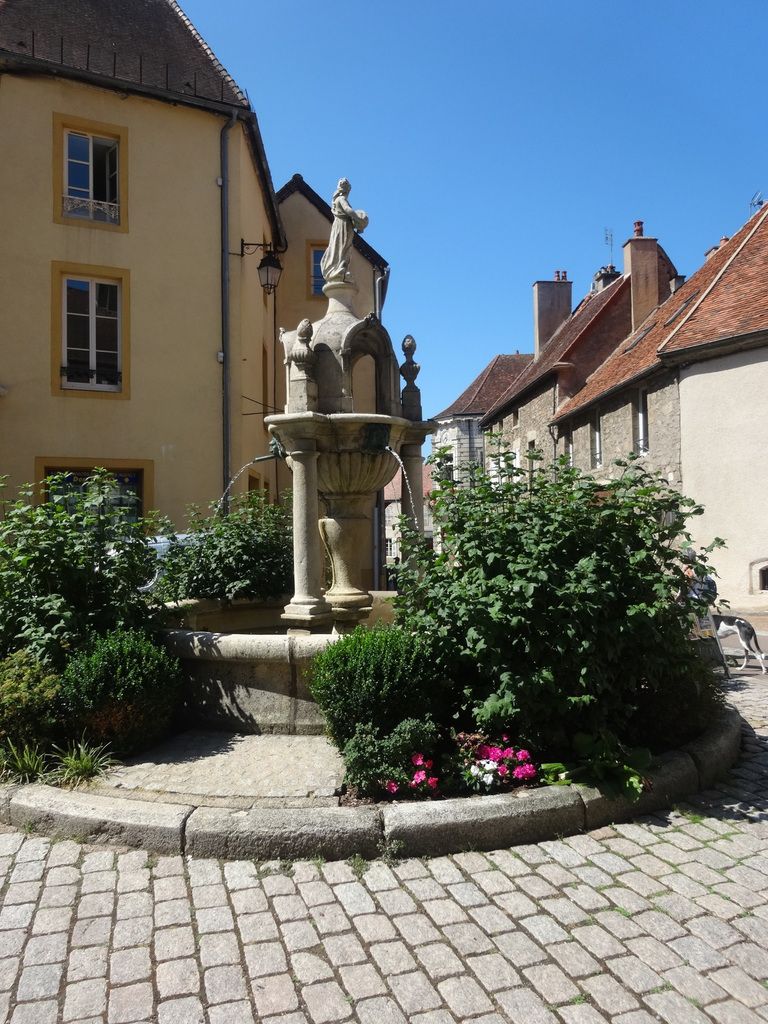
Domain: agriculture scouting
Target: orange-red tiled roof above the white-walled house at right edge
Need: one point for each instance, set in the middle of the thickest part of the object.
(728, 296)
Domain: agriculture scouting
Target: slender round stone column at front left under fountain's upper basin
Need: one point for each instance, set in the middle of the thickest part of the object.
(308, 607)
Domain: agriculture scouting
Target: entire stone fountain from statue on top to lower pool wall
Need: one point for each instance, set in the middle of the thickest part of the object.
(340, 457)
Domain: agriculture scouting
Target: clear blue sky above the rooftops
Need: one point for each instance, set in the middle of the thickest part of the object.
(492, 143)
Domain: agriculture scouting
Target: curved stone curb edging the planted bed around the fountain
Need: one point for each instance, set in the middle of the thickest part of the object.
(407, 830)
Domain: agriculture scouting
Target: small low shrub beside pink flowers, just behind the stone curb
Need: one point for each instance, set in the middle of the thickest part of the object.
(373, 757)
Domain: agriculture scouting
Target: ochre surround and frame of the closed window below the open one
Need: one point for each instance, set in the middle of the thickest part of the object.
(61, 273)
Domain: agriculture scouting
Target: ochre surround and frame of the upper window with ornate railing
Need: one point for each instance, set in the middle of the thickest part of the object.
(63, 125)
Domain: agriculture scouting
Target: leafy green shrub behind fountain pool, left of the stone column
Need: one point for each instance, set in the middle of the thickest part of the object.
(246, 553)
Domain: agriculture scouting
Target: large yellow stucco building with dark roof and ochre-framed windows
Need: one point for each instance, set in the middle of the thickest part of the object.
(134, 334)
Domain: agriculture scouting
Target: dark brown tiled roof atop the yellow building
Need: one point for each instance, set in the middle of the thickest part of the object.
(150, 44)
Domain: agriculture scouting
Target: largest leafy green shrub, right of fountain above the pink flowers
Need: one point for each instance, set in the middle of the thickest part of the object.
(561, 603)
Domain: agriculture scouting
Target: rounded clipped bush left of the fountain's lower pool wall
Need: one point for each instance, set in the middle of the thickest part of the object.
(123, 691)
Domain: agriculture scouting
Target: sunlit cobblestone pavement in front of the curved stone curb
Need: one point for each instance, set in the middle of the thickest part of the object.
(662, 920)
